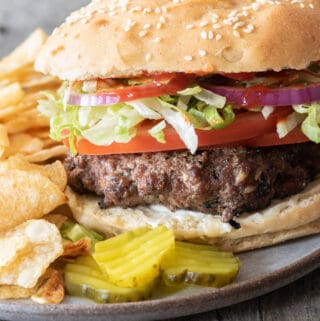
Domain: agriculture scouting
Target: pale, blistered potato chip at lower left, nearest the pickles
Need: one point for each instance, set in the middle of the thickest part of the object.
(42, 244)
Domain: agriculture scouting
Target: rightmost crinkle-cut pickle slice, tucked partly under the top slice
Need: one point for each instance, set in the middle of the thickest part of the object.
(199, 264)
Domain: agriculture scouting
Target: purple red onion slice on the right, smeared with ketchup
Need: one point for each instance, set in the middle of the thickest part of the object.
(263, 96)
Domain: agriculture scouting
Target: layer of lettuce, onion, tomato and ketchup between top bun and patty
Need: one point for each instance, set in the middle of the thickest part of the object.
(109, 112)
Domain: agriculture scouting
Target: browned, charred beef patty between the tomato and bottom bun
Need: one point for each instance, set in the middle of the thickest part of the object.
(223, 181)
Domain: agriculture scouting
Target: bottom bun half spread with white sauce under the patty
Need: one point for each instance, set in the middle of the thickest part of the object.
(285, 219)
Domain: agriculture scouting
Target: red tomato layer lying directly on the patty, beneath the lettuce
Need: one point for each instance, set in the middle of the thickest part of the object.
(247, 125)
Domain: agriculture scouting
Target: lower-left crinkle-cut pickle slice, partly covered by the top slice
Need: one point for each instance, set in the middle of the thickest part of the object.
(83, 278)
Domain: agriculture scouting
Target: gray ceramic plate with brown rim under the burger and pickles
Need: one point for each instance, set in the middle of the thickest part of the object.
(262, 271)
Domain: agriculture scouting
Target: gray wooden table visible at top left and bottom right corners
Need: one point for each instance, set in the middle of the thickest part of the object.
(296, 302)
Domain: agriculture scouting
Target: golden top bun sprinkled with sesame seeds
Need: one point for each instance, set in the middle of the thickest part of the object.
(120, 39)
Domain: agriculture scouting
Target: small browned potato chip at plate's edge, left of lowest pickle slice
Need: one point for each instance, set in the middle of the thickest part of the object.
(51, 288)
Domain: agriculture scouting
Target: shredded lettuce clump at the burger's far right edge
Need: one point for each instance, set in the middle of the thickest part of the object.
(311, 124)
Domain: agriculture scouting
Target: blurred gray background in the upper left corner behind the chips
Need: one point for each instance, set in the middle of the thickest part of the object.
(18, 18)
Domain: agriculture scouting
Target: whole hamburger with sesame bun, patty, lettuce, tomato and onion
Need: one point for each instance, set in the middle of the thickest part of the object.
(199, 115)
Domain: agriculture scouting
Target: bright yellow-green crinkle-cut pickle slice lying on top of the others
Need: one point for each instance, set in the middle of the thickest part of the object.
(133, 259)
